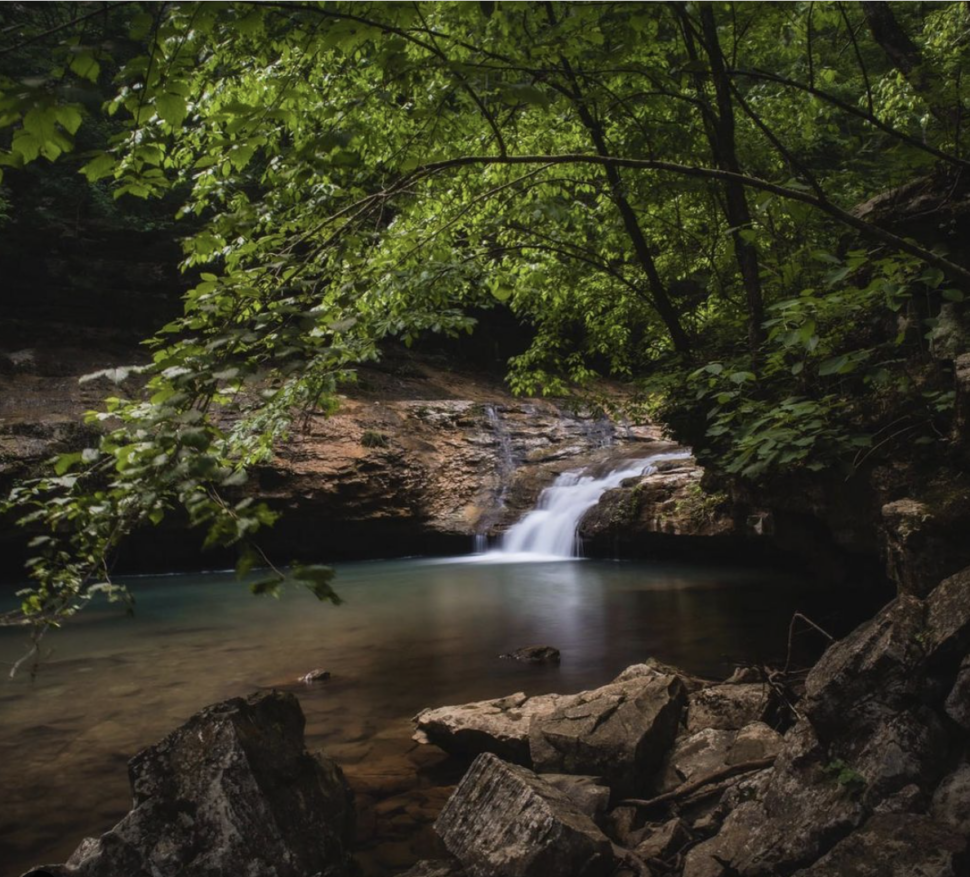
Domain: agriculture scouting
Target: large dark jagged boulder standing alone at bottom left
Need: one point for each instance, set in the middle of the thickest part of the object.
(232, 791)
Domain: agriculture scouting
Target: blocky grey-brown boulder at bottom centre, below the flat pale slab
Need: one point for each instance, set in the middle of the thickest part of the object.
(505, 821)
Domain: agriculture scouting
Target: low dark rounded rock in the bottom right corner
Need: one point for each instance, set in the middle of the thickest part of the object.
(895, 845)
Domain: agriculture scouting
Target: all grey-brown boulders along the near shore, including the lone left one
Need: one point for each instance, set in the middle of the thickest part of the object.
(857, 767)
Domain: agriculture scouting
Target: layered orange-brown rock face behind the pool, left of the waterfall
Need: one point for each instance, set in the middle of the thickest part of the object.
(417, 459)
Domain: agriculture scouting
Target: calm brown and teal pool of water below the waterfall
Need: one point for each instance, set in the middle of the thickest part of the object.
(413, 633)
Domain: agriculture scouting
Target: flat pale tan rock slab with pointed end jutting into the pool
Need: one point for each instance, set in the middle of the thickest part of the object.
(500, 726)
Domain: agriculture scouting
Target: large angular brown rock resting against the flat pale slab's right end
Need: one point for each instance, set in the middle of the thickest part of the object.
(620, 732)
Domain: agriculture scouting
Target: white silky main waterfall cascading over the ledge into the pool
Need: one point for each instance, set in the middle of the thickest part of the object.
(550, 529)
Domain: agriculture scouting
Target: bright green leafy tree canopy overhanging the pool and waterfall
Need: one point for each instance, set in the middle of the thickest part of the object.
(657, 189)
